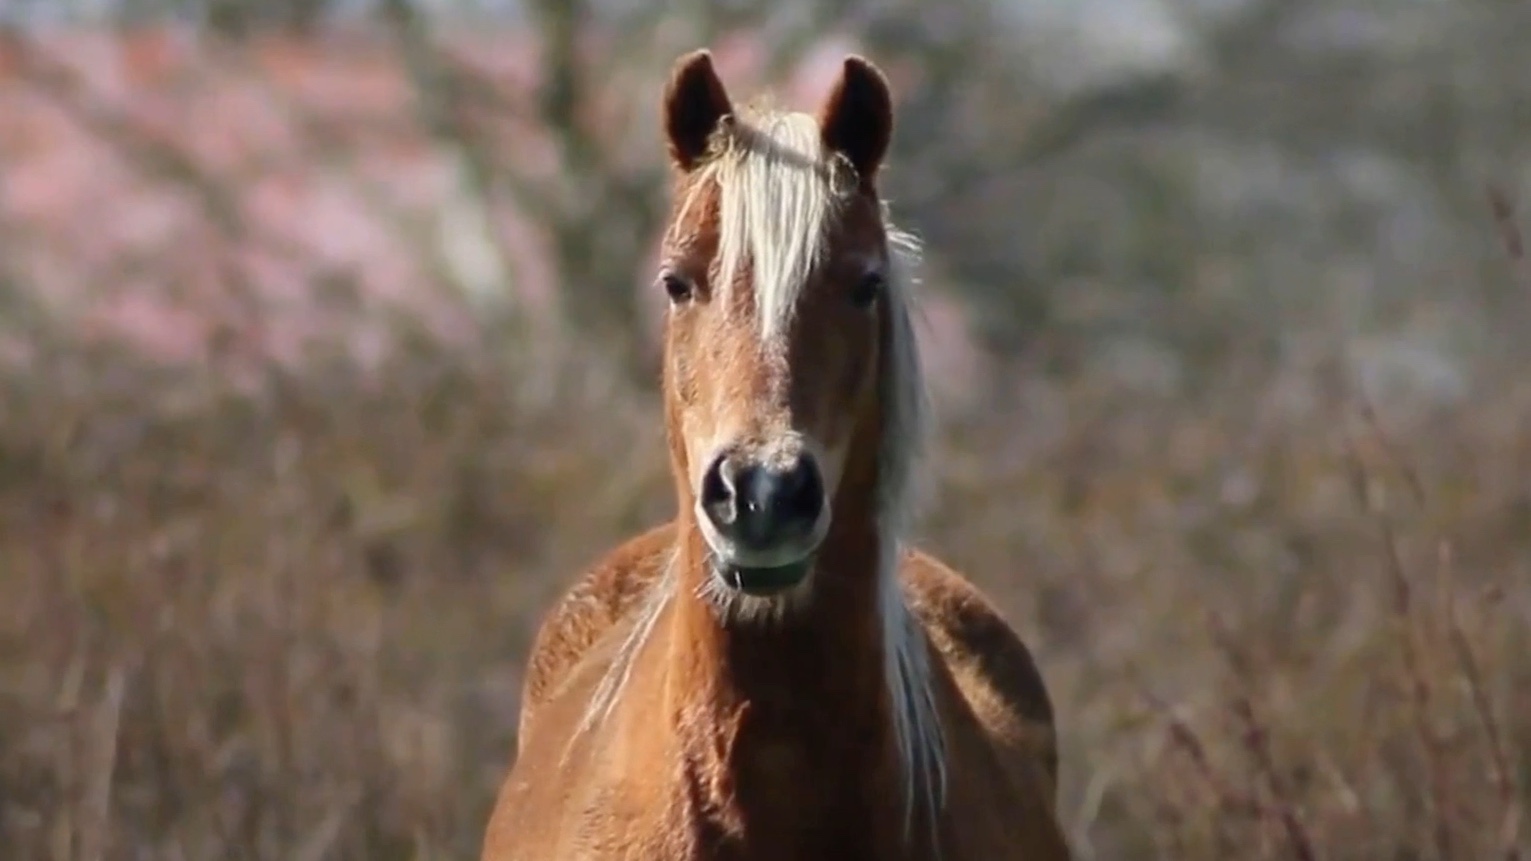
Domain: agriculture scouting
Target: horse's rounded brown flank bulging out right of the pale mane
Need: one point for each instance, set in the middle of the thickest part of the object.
(988, 661)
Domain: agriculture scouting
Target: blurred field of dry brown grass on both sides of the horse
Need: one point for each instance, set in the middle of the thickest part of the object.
(292, 627)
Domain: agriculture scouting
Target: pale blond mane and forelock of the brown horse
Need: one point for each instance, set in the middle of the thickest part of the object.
(780, 192)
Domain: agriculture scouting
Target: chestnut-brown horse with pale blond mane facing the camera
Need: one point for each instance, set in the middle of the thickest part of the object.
(771, 676)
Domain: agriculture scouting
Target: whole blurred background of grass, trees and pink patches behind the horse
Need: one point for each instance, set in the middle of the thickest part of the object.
(328, 358)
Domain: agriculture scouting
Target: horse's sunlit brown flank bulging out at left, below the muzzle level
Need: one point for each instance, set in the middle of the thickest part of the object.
(578, 621)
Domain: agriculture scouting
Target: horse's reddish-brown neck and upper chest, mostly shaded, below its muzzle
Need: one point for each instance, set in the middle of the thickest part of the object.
(792, 709)
